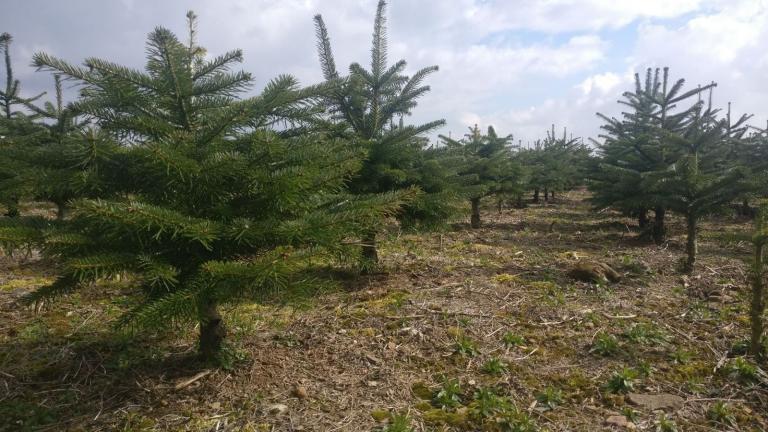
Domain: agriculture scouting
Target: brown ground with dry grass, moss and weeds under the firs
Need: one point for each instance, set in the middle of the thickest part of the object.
(461, 330)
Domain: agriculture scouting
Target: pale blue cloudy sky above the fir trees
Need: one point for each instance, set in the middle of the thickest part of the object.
(519, 65)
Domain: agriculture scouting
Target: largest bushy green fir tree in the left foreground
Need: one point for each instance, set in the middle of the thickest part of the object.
(210, 206)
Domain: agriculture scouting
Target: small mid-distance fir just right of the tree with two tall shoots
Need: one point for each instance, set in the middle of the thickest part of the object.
(487, 164)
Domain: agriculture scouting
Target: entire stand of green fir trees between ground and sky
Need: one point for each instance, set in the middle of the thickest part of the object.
(174, 178)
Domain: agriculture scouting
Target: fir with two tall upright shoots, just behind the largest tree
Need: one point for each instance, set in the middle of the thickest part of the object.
(369, 106)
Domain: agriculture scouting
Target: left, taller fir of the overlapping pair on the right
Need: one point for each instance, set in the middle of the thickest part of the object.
(635, 145)
